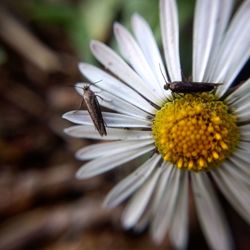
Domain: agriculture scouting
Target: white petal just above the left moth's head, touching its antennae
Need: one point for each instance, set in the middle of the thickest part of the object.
(114, 86)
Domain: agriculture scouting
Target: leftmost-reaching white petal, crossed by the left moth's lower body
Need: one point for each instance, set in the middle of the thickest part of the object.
(112, 120)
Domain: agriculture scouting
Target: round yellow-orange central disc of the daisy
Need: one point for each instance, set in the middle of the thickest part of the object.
(195, 132)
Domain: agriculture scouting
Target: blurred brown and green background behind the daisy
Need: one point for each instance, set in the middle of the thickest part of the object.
(42, 205)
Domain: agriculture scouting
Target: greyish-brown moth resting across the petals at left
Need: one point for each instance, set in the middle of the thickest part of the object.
(94, 109)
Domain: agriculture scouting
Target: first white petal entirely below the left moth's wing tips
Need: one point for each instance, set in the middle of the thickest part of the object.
(109, 148)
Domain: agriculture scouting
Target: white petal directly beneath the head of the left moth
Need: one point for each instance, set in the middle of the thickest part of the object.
(115, 103)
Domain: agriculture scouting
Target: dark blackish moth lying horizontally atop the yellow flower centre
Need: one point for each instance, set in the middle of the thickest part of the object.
(190, 87)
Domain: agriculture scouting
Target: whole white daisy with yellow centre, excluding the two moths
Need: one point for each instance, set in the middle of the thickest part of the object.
(189, 141)
